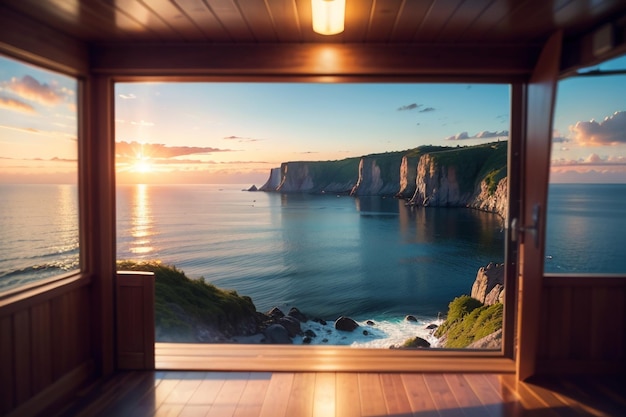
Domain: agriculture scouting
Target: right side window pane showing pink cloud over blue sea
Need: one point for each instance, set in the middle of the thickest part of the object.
(587, 194)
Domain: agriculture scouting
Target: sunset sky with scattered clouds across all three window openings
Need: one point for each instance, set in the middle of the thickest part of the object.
(237, 132)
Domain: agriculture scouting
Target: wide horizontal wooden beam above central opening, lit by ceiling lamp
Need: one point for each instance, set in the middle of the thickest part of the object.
(326, 62)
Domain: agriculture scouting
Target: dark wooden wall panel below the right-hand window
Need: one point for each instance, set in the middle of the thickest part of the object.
(584, 325)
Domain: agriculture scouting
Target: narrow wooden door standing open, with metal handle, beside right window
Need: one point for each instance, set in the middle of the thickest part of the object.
(536, 157)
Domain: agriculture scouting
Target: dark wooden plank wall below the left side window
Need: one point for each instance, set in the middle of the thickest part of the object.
(45, 347)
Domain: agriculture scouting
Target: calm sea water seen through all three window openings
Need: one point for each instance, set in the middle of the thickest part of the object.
(368, 258)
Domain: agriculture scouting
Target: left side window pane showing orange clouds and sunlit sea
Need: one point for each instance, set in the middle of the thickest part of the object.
(38, 174)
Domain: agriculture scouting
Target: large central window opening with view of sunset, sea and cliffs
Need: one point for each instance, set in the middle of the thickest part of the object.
(378, 202)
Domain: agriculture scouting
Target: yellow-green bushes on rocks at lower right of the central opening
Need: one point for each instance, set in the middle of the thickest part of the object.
(468, 321)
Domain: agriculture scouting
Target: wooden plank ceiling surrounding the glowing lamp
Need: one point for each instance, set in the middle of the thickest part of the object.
(289, 21)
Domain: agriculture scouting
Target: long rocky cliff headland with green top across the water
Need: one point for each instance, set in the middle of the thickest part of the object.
(436, 176)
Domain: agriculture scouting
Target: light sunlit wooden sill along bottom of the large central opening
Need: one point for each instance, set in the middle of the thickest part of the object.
(229, 357)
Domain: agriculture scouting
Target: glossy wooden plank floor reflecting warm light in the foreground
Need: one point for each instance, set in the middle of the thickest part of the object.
(328, 394)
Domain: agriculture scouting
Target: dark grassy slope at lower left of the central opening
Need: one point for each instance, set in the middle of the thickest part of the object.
(182, 304)
